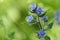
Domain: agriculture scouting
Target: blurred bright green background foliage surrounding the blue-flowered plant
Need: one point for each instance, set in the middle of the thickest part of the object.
(12, 19)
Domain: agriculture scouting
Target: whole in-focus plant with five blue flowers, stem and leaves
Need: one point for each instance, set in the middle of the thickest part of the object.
(40, 15)
